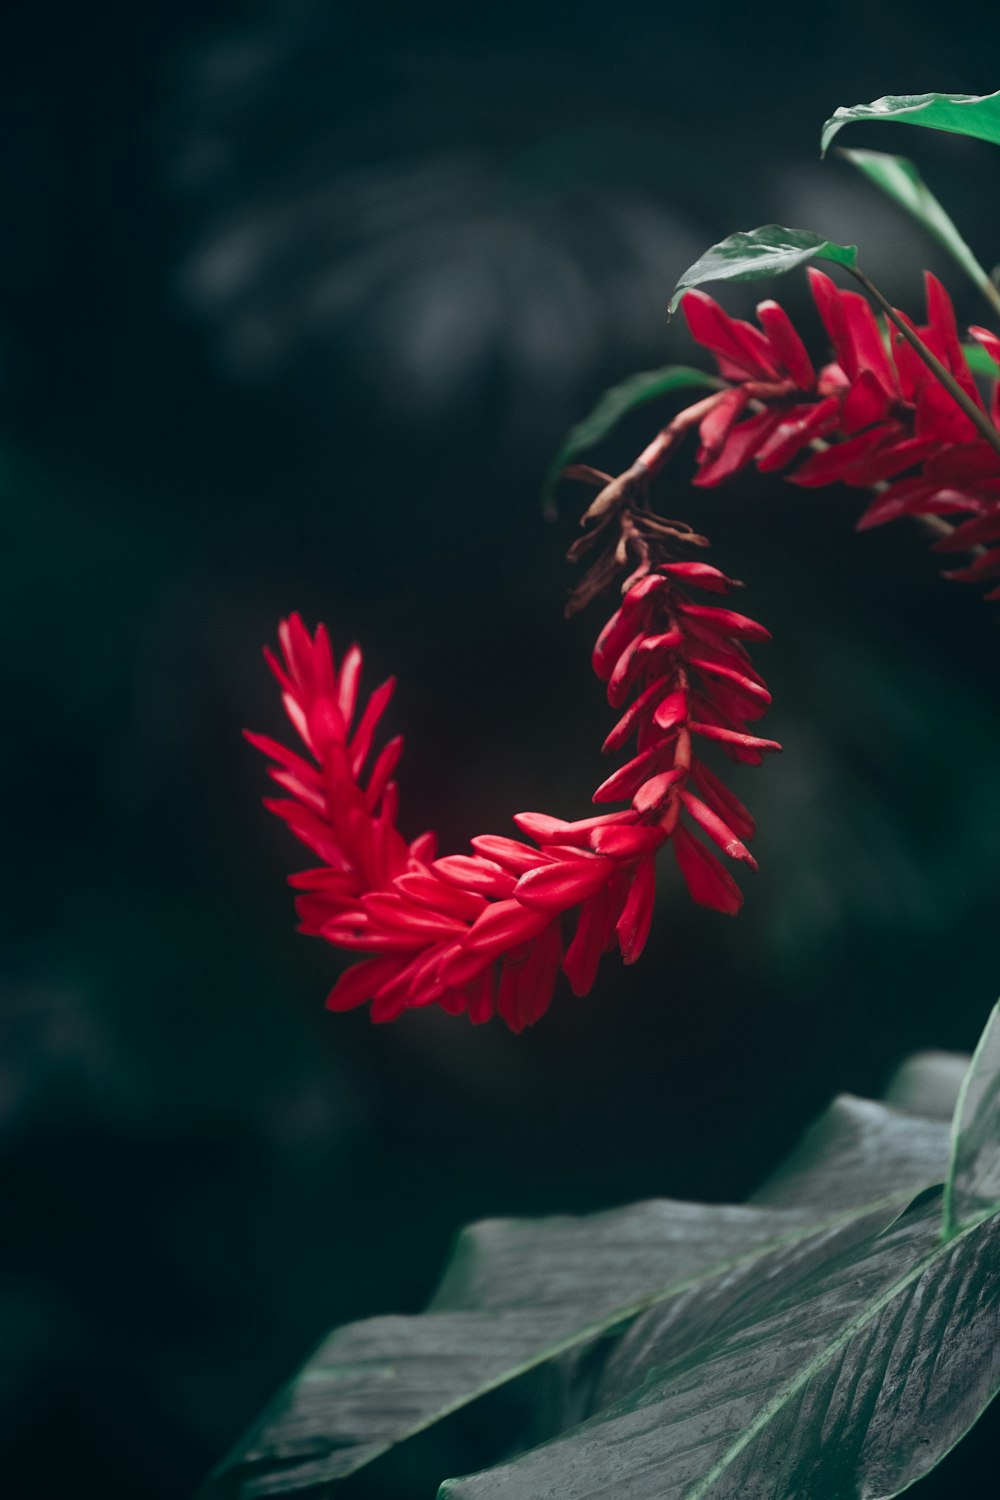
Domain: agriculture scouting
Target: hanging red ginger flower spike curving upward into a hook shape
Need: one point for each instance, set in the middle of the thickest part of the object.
(485, 934)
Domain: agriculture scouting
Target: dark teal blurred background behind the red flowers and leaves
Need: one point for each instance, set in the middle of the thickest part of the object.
(298, 304)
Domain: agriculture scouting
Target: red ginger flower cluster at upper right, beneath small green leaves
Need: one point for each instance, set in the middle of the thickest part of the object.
(875, 418)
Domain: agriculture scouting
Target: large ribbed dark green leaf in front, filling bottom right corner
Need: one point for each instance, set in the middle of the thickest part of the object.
(848, 1364)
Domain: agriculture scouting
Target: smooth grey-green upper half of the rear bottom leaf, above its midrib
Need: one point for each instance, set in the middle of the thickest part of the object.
(518, 1294)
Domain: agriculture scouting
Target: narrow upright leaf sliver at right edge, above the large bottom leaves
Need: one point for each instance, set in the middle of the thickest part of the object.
(972, 1187)
